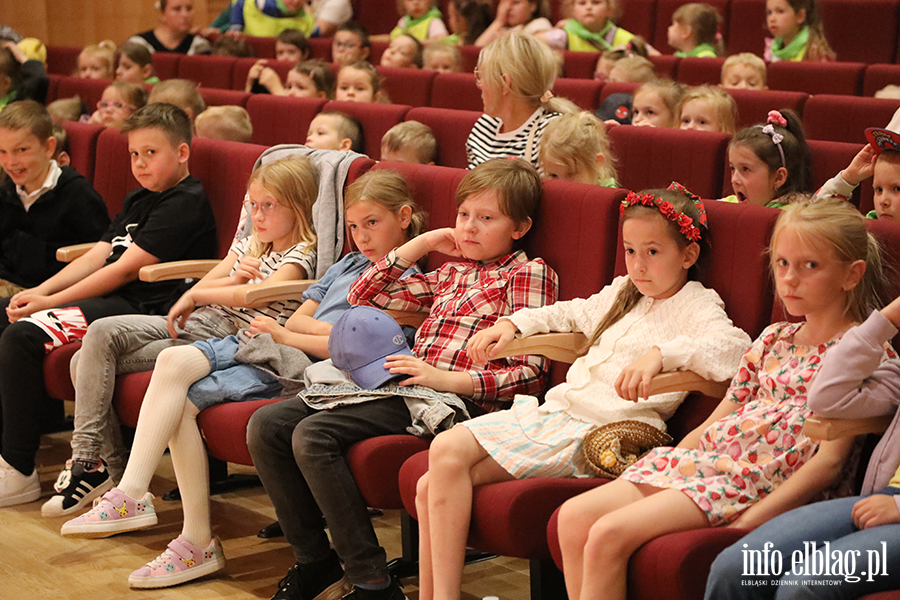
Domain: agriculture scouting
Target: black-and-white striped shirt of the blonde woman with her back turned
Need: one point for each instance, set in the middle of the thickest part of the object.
(486, 142)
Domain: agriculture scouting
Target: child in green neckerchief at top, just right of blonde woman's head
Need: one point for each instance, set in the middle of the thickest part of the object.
(591, 28)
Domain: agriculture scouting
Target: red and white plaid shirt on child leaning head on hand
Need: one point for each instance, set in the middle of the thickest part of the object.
(461, 299)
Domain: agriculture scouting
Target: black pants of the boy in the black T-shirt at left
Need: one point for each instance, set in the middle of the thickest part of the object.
(22, 392)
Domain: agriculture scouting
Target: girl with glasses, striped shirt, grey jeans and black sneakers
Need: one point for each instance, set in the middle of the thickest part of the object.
(281, 246)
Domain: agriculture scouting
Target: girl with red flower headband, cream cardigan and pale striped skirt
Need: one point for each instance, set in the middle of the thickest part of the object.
(655, 303)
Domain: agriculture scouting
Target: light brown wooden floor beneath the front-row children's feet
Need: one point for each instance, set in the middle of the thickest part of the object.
(37, 563)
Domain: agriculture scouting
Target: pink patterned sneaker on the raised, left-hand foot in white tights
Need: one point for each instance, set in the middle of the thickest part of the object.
(113, 513)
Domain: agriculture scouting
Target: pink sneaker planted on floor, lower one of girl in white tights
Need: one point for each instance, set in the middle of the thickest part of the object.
(182, 561)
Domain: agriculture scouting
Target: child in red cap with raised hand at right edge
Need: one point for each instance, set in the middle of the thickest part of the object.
(879, 159)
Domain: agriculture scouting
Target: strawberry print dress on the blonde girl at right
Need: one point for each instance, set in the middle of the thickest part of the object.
(749, 453)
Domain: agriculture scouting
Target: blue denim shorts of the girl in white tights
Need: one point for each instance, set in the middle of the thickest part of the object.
(229, 380)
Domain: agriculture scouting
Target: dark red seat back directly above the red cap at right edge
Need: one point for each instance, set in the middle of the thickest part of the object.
(845, 118)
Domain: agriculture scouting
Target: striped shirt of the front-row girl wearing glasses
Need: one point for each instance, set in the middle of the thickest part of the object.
(303, 255)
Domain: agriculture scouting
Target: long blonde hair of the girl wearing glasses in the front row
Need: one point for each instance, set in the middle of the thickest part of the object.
(293, 182)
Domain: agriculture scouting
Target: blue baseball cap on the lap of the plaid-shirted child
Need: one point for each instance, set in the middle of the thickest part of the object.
(359, 342)
